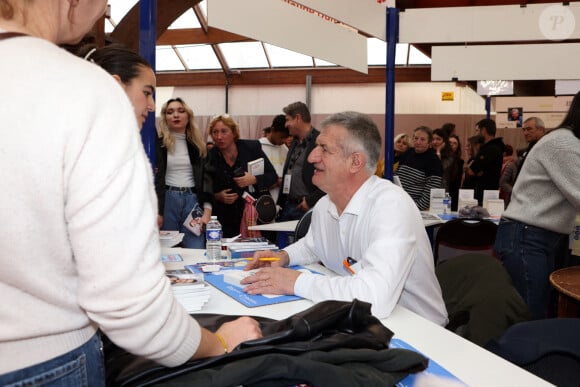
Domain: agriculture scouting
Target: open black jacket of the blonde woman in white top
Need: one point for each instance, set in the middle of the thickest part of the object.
(202, 174)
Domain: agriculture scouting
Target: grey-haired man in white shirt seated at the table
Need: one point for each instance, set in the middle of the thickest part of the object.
(362, 217)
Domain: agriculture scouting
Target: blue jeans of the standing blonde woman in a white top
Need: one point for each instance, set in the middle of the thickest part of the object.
(178, 205)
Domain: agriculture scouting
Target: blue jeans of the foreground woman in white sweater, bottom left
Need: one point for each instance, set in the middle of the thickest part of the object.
(83, 366)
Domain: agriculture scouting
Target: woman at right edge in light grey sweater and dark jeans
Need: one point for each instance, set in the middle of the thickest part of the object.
(532, 238)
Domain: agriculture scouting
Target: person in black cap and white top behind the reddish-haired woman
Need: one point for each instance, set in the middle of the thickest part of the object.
(274, 147)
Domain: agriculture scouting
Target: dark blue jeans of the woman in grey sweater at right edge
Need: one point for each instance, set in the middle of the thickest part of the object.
(530, 254)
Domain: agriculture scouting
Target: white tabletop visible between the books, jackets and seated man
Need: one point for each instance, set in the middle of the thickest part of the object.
(469, 362)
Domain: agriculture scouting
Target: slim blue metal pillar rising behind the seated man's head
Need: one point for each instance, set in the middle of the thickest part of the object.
(392, 39)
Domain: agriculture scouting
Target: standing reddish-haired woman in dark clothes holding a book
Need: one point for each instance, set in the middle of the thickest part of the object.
(229, 157)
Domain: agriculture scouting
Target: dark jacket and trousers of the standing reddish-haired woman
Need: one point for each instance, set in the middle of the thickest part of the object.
(230, 215)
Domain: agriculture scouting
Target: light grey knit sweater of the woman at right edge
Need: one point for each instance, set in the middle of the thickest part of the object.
(547, 191)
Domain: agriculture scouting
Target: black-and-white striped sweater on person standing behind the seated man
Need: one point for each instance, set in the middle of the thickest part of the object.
(419, 172)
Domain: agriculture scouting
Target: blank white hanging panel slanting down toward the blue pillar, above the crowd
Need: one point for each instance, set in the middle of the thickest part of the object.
(292, 26)
